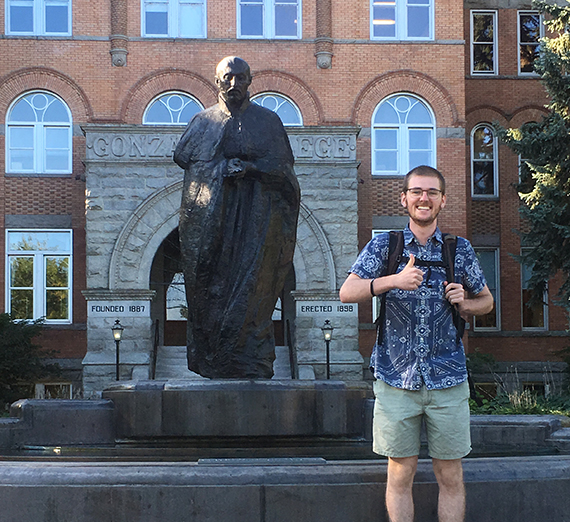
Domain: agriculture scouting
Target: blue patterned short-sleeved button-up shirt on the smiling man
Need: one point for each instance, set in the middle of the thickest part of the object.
(420, 344)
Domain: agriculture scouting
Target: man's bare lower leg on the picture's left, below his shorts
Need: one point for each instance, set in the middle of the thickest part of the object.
(399, 501)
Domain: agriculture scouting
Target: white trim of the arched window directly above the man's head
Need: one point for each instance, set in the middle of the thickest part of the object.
(403, 142)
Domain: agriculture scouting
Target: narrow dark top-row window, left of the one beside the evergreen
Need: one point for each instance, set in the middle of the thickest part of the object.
(483, 42)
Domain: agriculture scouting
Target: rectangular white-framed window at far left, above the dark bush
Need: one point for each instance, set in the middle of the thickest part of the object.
(39, 275)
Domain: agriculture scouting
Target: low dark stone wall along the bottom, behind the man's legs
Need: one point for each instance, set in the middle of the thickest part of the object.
(529, 489)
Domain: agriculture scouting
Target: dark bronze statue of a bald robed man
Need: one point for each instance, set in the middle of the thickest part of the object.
(238, 225)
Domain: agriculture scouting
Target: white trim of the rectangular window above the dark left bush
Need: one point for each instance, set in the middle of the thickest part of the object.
(39, 274)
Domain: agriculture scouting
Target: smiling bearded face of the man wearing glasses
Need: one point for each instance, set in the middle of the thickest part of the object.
(423, 209)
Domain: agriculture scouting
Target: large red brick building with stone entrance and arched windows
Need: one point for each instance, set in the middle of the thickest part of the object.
(93, 97)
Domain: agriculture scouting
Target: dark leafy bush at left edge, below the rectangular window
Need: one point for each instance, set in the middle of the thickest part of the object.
(21, 361)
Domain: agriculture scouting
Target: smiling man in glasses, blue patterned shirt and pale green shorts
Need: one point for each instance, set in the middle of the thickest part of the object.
(419, 362)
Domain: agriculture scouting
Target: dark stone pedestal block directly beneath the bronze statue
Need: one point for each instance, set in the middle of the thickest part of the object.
(237, 408)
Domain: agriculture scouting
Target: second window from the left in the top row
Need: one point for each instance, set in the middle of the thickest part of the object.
(174, 18)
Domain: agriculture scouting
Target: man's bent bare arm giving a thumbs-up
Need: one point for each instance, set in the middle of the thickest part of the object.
(357, 290)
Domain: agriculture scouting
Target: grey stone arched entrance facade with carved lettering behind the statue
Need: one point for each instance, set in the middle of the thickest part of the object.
(125, 228)
